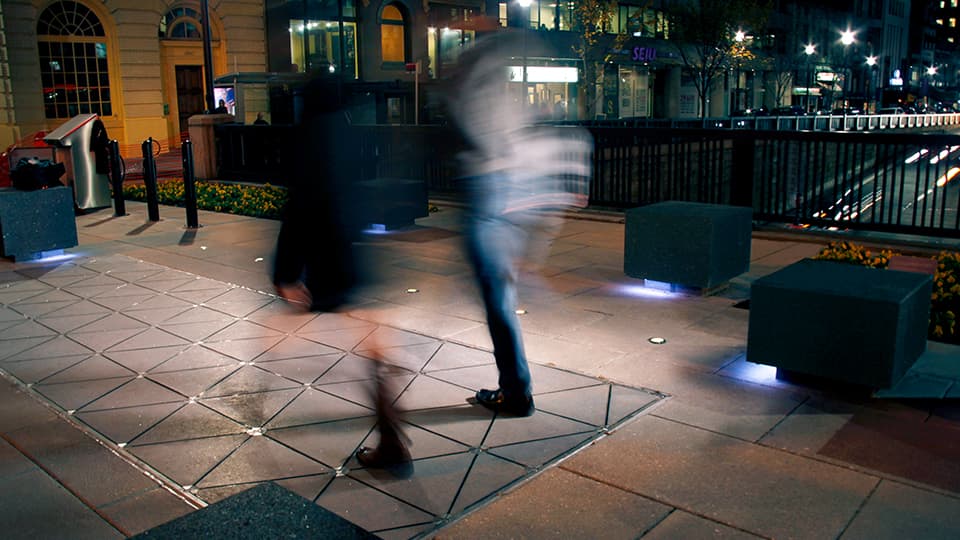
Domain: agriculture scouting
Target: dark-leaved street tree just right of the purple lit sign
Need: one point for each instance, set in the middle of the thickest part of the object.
(704, 33)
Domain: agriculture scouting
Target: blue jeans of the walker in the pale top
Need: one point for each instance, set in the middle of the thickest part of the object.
(493, 243)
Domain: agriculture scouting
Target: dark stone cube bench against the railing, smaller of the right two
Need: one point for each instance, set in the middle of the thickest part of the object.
(688, 244)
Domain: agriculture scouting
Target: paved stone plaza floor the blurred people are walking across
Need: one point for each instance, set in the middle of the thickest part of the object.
(708, 445)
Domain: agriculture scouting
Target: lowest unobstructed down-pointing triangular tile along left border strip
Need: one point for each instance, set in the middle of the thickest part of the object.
(185, 462)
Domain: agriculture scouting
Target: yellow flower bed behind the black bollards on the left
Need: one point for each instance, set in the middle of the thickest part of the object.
(264, 201)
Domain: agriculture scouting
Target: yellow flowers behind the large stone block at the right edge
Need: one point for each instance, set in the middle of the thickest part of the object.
(945, 300)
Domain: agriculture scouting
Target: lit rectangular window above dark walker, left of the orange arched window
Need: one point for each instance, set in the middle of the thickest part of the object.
(319, 45)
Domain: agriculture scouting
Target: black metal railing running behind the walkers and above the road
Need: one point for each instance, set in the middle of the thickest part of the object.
(892, 181)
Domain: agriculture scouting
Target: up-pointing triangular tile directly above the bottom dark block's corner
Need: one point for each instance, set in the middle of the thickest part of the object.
(259, 459)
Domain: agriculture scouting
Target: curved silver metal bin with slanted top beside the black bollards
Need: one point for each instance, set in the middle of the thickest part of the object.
(87, 173)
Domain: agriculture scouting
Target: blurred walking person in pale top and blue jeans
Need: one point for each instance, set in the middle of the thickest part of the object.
(511, 172)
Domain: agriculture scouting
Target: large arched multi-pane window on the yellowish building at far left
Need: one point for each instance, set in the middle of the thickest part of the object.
(73, 61)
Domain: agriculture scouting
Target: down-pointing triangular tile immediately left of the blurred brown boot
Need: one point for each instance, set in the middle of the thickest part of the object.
(332, 443)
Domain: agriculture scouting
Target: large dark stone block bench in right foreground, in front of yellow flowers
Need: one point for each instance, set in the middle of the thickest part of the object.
(840, 321)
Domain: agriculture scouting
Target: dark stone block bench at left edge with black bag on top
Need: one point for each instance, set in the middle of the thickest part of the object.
(35, 222)
